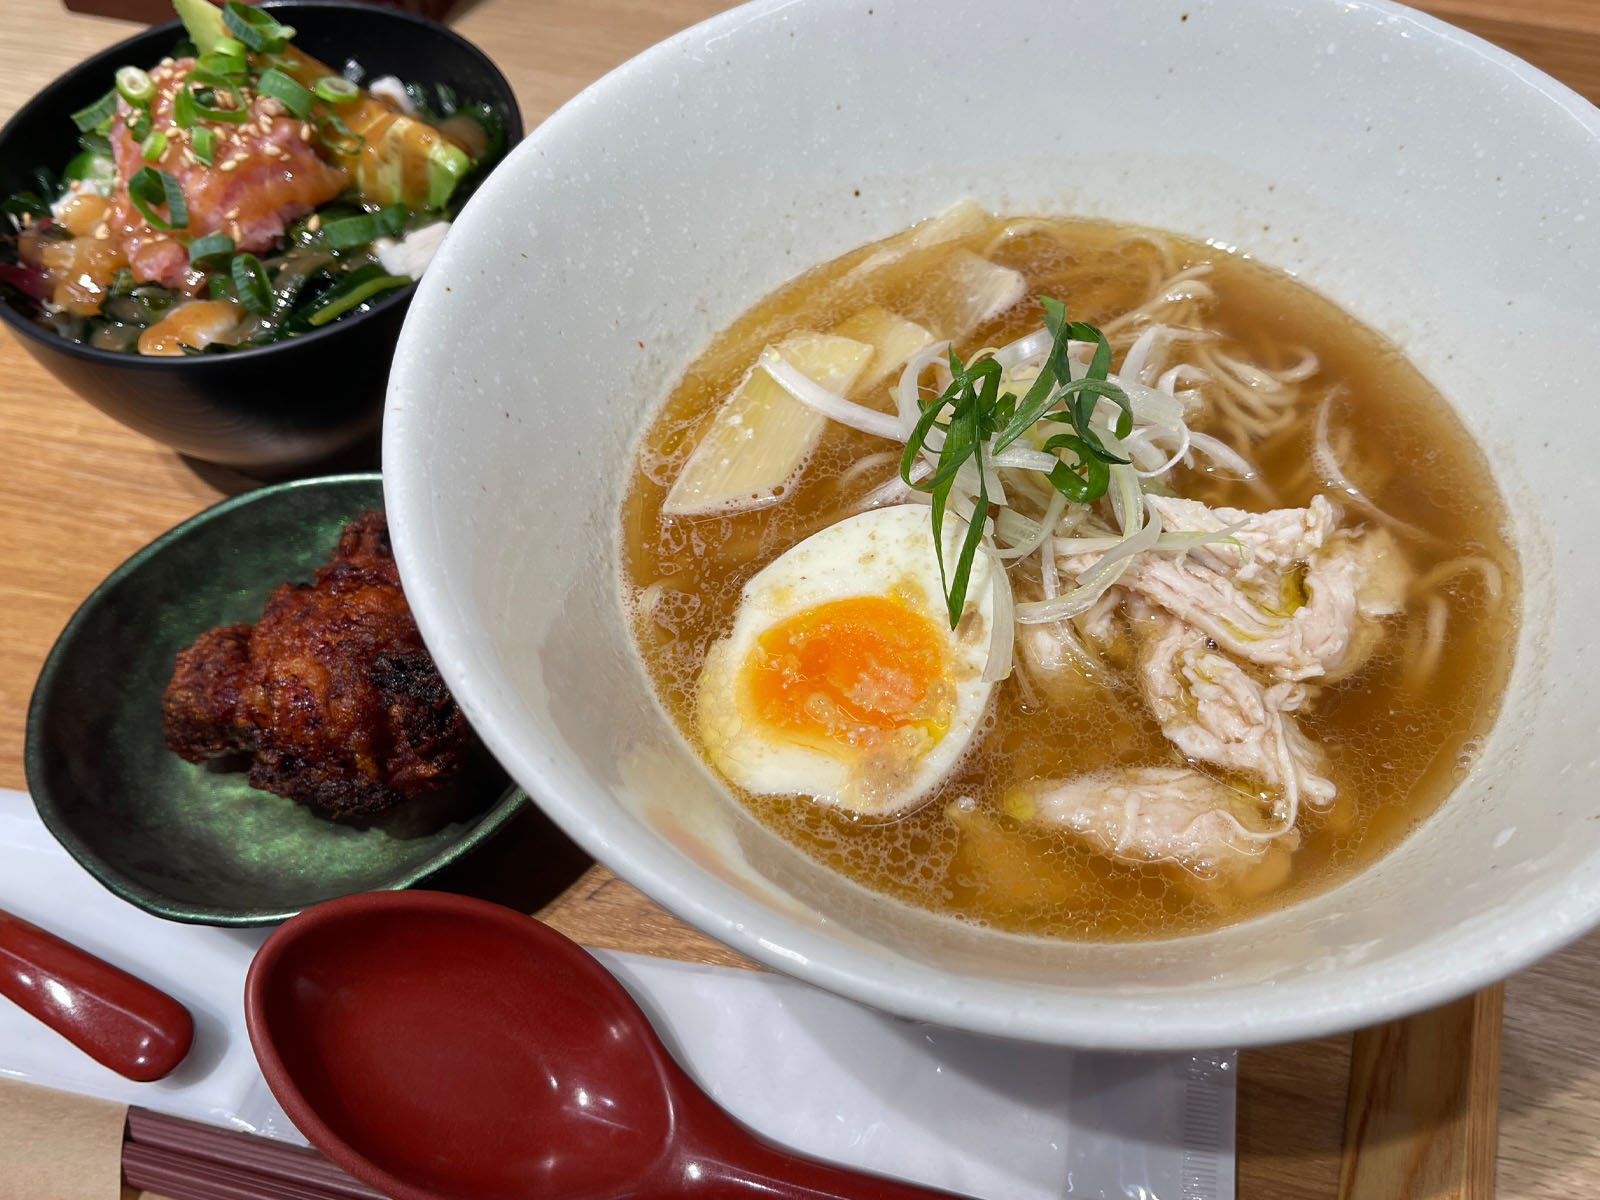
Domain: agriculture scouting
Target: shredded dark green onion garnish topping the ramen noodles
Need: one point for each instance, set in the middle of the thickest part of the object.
(983, 418)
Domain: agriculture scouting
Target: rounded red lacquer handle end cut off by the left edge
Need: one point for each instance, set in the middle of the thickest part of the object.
(118, 1020)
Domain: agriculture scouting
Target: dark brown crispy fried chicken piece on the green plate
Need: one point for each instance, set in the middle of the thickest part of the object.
(332, 692)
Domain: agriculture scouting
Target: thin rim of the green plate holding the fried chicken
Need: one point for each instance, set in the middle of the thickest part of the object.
(110, 876)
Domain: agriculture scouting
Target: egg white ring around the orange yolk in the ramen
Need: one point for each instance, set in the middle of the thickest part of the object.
(884, 553)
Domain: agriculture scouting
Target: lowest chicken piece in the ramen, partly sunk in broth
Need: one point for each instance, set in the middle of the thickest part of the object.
(1153, 815)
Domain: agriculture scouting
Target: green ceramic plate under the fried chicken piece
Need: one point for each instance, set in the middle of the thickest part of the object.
(190, 842)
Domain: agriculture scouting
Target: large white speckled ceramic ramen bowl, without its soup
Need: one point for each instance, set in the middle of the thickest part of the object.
(1431, 185)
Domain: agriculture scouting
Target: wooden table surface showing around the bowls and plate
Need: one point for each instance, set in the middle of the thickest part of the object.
(79, 494)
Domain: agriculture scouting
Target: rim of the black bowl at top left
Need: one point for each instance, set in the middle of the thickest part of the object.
(106, 62)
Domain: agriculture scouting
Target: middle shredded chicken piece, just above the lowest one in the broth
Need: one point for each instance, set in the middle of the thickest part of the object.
(1217, 713)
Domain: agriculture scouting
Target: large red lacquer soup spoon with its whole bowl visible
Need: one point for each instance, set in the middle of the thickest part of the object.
(447, 1049)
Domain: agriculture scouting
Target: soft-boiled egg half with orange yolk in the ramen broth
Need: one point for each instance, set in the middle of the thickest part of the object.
(842, 679)
